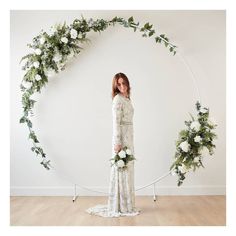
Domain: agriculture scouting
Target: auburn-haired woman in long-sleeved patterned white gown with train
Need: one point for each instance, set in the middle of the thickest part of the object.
(121, 199)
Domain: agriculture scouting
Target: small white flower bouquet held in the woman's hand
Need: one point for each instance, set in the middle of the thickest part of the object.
(122, 158)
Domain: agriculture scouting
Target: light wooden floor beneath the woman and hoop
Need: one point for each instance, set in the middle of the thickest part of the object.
(168, 210)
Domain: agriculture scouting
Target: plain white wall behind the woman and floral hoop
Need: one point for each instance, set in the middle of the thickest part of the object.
(73, 113)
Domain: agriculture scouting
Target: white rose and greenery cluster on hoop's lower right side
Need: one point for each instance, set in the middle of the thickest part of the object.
(194, 143)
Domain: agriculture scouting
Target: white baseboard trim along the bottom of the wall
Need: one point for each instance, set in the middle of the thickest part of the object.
(69, 191)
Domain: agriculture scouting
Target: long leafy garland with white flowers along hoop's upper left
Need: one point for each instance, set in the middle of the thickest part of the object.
(51, 52)
